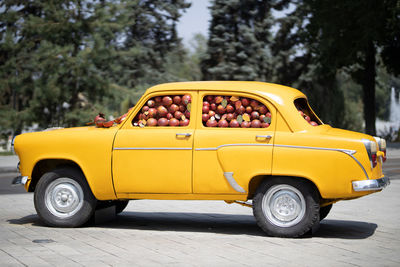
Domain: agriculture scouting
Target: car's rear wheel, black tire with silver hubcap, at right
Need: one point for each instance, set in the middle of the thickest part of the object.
(286, 222)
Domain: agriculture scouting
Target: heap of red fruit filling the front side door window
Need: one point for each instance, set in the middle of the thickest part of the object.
(165, 111)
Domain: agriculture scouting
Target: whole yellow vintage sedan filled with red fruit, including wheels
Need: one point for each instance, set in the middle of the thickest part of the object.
(231, 141)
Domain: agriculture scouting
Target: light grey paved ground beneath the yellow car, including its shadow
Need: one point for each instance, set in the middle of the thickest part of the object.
(363, 232)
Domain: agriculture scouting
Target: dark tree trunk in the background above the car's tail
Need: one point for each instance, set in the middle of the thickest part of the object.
(368, 85)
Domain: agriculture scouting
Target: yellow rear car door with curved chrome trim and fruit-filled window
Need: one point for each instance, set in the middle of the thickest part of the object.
(226, 158)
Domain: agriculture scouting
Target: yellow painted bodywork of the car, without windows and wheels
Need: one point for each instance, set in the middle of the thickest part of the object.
(162, 165)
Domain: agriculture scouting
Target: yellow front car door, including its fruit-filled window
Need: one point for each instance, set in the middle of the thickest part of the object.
(157, 158)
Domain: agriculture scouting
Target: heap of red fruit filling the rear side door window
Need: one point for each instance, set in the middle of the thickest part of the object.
(235, 112)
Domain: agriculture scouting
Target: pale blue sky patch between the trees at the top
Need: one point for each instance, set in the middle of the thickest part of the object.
(194, 20)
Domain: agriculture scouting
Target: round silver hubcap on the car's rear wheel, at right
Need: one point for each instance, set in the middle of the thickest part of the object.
(283, 205)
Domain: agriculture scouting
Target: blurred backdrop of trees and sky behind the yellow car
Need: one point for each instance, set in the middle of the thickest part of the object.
(62, 62)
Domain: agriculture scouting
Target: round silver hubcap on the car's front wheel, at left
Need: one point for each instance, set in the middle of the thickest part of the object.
(64, 197)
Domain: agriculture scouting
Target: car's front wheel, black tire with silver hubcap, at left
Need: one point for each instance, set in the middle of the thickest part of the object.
(63, 198)
